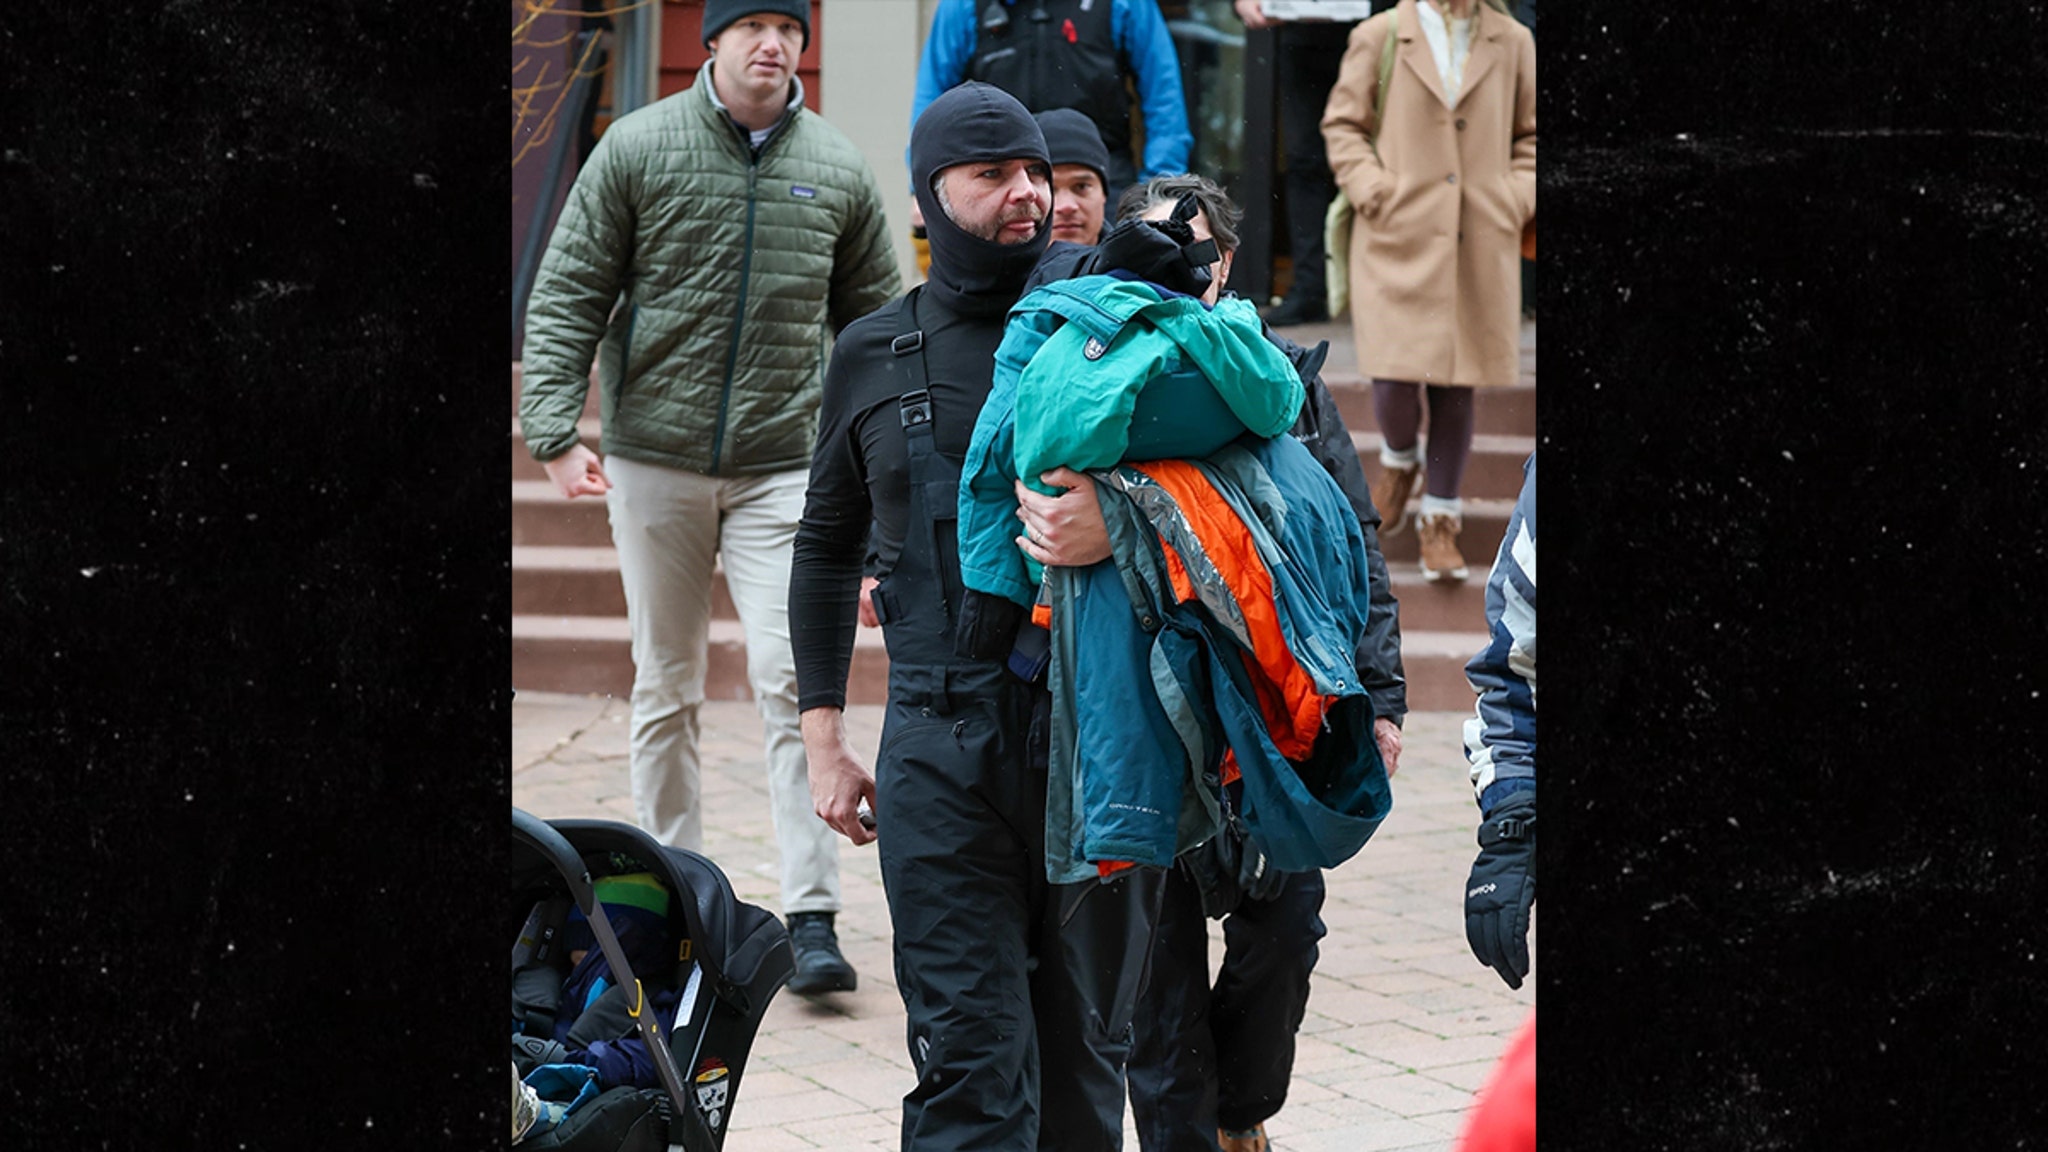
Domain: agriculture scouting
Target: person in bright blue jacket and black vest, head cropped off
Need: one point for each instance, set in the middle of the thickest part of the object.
(1068, 54)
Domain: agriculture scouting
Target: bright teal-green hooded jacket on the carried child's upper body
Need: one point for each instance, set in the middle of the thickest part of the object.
(1097, 372)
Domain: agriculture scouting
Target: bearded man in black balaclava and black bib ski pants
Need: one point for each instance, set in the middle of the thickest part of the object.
(1019, 991)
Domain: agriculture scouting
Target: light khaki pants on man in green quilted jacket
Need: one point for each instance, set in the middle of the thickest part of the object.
(671, 528)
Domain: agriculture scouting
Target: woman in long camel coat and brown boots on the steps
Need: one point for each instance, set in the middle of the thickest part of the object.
(1437, 245)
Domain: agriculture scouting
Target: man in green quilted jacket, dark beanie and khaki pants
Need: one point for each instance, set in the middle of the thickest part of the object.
(701, 255)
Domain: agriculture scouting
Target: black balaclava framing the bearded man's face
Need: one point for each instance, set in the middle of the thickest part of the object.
(974, 122)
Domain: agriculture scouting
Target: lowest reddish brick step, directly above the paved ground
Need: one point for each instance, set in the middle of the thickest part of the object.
(595, 657)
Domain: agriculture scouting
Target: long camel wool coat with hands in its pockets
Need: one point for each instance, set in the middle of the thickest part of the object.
(1437, 245)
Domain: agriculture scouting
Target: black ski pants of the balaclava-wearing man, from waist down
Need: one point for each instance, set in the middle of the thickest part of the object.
(1019, 993)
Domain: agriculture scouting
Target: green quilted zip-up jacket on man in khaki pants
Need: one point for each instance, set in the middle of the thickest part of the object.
(730, 276)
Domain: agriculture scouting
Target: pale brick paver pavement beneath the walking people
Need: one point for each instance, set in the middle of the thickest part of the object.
(1402, 1028)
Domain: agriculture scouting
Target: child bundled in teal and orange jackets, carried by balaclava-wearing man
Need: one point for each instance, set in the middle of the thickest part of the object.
(1220, 636)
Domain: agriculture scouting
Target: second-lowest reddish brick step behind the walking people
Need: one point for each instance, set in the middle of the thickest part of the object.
(585, 583)
